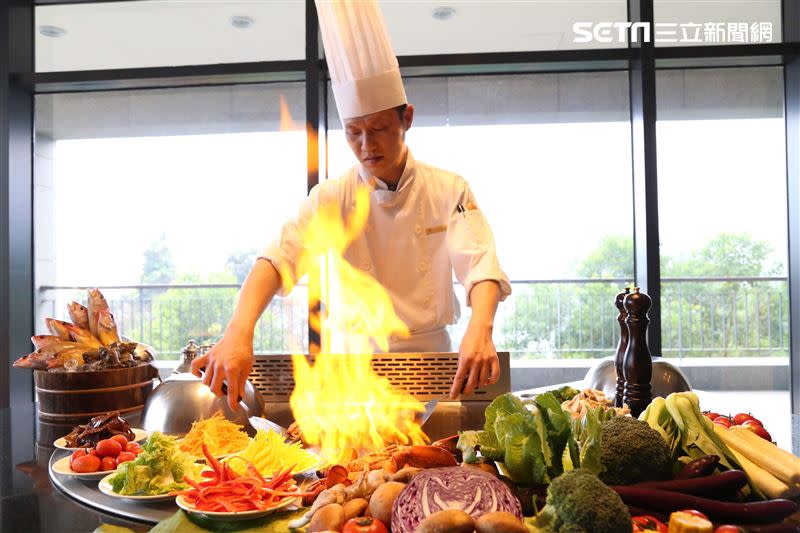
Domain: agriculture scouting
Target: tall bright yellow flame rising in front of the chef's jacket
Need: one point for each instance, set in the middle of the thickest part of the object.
(340, 403)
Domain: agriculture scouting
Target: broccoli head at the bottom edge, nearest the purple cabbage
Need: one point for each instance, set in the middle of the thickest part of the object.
(578, 502)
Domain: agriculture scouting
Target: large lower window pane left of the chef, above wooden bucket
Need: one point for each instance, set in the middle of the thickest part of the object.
(180, 188)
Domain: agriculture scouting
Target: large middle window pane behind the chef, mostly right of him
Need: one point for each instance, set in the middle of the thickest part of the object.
(548, 157)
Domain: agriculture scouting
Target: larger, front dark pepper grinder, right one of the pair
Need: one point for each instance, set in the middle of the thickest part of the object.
(638, 365)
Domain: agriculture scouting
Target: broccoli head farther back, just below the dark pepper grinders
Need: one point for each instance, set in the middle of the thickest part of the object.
(631, 451)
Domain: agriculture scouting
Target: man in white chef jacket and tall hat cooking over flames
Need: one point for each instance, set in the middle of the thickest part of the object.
(424, 223)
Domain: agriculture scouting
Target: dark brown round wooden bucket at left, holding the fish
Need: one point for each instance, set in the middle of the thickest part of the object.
(66, 399)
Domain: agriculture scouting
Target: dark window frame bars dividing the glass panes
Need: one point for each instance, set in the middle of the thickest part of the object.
(641, 60)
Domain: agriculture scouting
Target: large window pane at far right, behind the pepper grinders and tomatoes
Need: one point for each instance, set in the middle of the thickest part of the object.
(722, 204)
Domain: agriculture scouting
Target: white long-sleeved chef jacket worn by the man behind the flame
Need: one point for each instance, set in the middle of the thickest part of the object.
(415, 237)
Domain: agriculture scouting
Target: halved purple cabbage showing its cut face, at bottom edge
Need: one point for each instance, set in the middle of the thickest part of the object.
(471, 490)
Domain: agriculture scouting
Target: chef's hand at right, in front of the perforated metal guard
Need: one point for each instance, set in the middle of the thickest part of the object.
(478, 365)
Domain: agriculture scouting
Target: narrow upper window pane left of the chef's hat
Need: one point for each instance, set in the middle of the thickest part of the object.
(111, 35)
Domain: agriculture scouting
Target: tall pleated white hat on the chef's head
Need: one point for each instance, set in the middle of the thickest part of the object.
(364, 72)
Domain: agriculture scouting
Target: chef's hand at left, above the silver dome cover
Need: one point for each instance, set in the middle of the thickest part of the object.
(230, 360)
